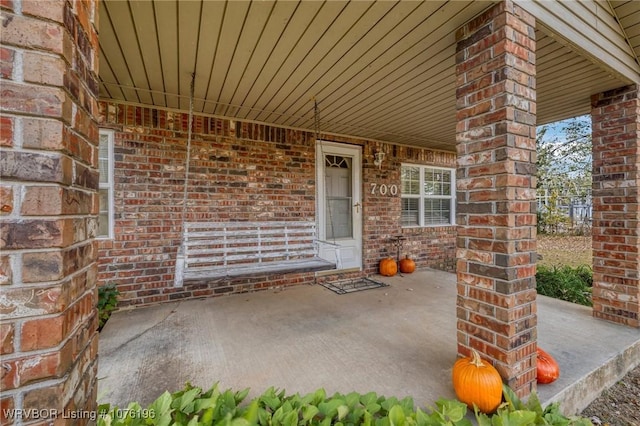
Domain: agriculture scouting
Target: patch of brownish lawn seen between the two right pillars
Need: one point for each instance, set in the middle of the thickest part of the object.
(559, 250)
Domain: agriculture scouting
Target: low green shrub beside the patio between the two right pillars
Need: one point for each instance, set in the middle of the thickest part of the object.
(566, 283)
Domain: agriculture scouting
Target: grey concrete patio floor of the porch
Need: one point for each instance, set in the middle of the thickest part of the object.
(398, 341)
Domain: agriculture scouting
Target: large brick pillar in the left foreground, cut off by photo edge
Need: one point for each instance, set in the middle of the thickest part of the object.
(48, 210)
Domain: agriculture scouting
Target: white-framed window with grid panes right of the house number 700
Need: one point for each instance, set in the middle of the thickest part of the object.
(428, 196)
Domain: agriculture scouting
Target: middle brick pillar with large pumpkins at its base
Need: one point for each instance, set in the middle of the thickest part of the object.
(496, 213)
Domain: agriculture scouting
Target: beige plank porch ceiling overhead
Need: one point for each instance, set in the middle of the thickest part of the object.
(381, 70)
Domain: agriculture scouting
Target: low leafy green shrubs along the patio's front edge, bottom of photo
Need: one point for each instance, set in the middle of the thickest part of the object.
(192, 406)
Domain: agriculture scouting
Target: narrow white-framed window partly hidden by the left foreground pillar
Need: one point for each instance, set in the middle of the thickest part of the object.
(105, 161)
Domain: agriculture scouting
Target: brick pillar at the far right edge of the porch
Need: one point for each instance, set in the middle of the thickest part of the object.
(616, 205)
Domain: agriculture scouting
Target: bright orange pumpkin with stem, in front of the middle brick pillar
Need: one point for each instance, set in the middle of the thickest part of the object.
(477, 382)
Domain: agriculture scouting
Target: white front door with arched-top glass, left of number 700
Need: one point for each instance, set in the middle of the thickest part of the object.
(339, 202)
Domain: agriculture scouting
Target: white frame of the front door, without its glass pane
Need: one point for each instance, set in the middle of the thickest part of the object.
(351, 248)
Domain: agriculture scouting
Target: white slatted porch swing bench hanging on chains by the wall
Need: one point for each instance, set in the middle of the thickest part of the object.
(216, 251)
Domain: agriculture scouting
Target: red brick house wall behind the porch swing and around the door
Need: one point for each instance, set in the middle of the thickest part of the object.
(238, 171)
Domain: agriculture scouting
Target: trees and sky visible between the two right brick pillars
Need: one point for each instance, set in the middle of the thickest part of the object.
(564, 173)
